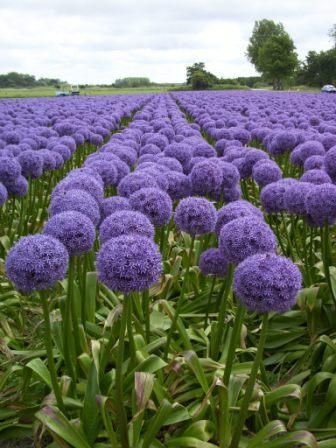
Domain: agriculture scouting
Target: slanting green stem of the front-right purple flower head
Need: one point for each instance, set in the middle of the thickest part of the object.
(250, 385)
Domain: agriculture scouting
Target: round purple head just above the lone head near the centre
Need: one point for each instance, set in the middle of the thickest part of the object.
(206, 178)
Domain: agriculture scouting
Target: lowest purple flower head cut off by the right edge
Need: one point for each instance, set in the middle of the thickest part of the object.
(321, 205)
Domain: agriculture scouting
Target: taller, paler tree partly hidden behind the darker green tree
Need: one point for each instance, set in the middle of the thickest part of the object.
(262, 31)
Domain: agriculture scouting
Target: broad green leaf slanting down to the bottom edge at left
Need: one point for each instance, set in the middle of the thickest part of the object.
(53, 419)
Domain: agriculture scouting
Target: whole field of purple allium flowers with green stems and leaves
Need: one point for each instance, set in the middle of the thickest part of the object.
(167, 271)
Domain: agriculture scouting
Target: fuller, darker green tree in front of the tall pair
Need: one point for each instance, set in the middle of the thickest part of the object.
(277, 59)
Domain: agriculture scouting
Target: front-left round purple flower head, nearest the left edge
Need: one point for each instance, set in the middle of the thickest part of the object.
(36, 262)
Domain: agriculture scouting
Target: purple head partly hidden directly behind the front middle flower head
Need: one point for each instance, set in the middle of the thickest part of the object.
(125, 222)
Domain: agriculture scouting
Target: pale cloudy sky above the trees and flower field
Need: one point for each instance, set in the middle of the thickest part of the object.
(97, 41)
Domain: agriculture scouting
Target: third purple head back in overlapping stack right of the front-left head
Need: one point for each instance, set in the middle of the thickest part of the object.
(80, 181)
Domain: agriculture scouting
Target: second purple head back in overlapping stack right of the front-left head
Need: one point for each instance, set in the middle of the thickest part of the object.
(75, 200)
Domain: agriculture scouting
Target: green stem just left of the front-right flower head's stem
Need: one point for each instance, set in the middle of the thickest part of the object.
(224, 418)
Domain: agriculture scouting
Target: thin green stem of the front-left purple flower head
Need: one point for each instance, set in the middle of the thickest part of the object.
(48, 344)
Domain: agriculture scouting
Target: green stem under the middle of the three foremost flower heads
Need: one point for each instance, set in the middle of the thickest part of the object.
(122, 416)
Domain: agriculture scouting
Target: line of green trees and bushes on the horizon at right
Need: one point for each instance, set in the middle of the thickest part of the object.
(272, 51)
